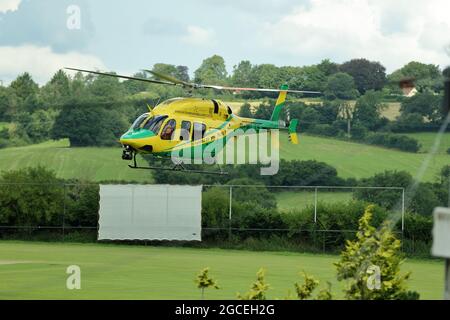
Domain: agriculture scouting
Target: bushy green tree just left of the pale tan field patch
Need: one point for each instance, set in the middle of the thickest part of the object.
(368, 109)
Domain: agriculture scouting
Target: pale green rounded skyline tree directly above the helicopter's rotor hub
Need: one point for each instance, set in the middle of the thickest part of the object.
(212, 71)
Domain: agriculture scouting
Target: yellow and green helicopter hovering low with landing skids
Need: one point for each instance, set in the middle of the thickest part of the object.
(186, 124)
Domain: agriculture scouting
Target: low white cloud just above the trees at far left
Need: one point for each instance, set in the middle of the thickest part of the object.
(41, 62)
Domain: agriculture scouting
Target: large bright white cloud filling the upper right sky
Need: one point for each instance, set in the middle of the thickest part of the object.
(393, 33)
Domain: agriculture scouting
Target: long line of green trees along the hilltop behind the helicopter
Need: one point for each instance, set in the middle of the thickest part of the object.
(94, 110)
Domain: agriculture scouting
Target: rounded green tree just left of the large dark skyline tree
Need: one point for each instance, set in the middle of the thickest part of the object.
(340, 86)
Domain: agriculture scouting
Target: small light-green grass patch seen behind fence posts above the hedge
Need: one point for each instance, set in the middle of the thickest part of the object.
(288, 200)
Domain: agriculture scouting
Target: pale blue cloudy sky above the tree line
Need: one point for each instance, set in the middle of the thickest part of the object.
(42, 36)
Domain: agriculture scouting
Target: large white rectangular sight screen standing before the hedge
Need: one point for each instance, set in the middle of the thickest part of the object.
(150, 212)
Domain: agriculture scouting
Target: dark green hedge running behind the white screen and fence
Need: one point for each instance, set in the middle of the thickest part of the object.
(34, 197)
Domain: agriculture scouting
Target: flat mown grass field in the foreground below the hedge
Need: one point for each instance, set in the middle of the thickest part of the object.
(30, 270)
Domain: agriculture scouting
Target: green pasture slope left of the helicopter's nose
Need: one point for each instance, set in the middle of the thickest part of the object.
(92, 163)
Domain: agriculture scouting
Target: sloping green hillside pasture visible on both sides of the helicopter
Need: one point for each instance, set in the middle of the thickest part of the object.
(350, 159)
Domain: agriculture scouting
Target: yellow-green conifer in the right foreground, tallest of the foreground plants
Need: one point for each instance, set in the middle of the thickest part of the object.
(371, 264)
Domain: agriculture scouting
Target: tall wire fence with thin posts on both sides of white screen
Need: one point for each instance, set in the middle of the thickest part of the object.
(298, 218)
